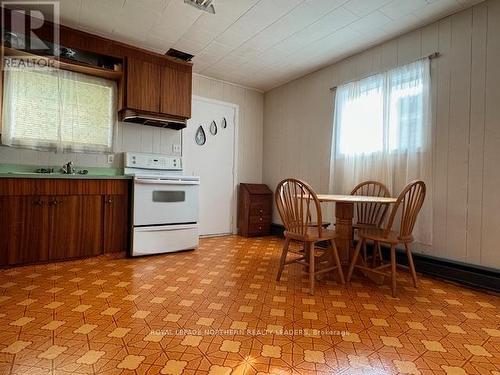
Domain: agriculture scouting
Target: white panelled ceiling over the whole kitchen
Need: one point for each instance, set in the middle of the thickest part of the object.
(258, 43)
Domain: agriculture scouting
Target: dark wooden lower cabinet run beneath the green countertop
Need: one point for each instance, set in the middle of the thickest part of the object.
(41, 228)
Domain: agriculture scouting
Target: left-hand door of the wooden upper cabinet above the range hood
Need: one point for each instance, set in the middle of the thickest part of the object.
(143, 85)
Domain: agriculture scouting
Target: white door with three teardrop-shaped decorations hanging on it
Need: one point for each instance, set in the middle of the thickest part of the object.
(213, 162)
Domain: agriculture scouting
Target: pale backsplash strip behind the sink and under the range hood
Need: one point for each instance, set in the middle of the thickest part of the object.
(129, 137)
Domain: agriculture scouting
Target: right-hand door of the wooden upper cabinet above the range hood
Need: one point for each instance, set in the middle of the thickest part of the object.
(175, 96)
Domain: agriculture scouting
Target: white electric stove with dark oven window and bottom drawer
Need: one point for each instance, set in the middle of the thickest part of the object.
(165, 204)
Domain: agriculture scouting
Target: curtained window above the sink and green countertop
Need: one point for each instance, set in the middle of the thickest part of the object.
(58, 110)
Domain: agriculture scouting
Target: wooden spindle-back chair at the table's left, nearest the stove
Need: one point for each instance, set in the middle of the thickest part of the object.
(298, 206)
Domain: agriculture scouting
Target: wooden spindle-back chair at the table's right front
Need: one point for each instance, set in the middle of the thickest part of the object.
(410, 202)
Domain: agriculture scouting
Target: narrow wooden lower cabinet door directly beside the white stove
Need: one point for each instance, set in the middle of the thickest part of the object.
(116, 223)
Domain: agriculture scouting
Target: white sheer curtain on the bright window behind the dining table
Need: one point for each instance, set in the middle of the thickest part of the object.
(383, 133)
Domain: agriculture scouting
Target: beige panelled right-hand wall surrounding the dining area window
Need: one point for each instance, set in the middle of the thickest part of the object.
(466, 120)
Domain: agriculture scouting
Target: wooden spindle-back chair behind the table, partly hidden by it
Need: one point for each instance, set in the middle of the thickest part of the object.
(370, 215)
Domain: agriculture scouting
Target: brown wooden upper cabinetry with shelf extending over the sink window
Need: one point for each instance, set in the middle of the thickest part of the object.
(151, 82)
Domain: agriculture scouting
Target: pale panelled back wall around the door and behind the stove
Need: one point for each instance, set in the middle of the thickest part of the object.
(139, 138)
